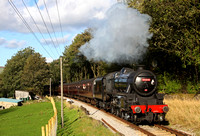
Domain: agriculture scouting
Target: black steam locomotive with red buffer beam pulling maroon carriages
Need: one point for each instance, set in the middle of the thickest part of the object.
(129, 94)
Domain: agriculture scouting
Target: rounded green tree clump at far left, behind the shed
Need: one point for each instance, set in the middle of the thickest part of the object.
(25, 70)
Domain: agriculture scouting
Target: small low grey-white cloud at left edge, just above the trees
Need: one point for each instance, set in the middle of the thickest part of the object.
(12, 43)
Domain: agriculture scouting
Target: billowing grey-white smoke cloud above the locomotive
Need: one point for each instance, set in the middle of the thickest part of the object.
(121, 37)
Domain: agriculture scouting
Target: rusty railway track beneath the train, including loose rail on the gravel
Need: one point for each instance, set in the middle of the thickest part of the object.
(155, 130)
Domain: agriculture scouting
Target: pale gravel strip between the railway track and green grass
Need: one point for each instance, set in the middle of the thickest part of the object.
(123, 128)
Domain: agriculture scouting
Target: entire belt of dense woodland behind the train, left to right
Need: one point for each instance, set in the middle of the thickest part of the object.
(174, 48)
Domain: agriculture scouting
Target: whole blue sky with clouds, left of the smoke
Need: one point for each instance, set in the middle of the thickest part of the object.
(48, 37)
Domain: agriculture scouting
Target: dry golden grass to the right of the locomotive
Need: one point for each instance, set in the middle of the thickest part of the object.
(184, 113)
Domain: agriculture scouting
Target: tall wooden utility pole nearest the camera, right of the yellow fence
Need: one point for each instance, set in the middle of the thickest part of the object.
(61, 88)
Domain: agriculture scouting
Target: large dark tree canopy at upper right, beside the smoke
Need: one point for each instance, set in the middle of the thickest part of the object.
(176, 29)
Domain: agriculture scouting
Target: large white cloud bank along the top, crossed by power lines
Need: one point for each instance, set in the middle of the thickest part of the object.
(75, 14)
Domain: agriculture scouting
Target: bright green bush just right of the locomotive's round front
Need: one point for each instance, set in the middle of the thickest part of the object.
(168, 84)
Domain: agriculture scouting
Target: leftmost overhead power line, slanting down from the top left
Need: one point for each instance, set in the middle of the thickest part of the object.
(26, 24)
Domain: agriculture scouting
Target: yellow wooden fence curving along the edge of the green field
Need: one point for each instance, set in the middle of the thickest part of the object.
(51, 127)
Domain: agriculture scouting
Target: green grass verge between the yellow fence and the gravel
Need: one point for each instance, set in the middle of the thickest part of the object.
(79, 124)
